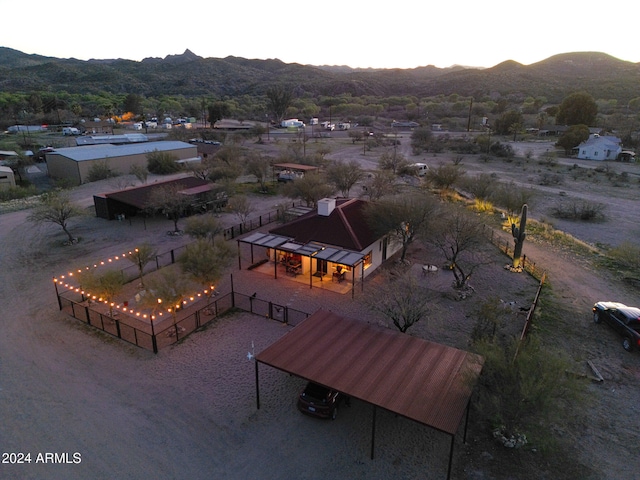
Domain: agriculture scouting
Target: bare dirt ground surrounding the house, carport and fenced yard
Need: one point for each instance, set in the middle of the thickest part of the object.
(189, 412)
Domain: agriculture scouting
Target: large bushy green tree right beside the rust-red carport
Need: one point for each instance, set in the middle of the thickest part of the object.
(525, 395)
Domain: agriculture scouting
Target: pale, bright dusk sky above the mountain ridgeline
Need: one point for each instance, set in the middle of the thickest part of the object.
(406, 34)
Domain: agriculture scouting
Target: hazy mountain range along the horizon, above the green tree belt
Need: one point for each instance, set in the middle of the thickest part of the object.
(601, 75)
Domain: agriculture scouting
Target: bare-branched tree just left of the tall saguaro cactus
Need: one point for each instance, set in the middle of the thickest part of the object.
(459, 236)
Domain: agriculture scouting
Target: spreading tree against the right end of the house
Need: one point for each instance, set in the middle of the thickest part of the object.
(405, 217)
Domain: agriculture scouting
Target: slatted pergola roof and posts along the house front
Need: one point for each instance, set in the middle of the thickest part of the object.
(278, 245)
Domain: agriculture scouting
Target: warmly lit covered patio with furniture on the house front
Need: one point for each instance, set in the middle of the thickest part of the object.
(313, 263)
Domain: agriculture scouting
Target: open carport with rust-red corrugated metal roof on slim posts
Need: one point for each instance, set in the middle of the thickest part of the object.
(424, 381)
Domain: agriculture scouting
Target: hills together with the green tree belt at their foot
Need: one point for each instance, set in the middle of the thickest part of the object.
(36, 89)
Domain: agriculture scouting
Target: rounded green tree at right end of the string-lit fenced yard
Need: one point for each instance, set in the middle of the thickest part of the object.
(205, 261)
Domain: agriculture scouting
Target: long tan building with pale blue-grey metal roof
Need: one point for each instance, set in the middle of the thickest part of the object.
(74, 163)
